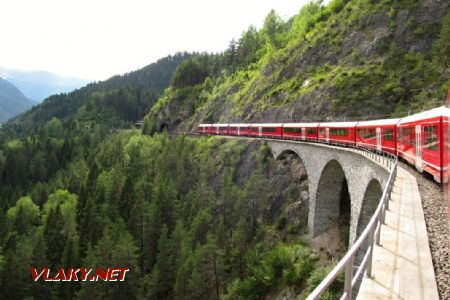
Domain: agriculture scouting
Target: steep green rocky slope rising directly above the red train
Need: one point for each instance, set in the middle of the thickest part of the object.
(351, 59)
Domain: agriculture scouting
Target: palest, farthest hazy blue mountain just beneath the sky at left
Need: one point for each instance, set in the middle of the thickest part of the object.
(38, 85)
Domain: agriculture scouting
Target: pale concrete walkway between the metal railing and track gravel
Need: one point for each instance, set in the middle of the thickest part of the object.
(402, 265)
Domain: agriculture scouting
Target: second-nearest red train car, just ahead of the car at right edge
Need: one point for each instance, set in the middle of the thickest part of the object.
(378, 134)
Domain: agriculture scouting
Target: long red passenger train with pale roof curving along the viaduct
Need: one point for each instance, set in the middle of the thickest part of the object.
(421, 139)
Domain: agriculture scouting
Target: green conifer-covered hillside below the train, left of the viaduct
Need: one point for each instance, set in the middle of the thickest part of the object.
(191, 218)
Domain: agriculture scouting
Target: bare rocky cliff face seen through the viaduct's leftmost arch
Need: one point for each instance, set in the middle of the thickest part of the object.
(285, 179)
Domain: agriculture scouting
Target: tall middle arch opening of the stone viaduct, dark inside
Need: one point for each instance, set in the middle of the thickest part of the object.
(333, 203)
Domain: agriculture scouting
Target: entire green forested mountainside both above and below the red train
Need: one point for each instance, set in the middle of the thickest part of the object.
(204, 218)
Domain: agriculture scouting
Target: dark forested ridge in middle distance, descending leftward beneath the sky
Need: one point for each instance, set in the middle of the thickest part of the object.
(121, 98)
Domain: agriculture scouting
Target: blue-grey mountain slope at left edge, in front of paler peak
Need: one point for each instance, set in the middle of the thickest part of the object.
(12, 101)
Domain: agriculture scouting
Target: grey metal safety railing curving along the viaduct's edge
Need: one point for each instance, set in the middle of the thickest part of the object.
(371, 233)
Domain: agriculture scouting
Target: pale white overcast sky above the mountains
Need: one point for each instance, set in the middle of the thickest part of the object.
(96, 39)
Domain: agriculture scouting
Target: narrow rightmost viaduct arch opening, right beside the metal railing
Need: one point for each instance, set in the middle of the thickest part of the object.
(370, 202)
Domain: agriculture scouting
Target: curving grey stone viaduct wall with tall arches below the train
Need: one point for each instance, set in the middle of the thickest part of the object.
(331, 172)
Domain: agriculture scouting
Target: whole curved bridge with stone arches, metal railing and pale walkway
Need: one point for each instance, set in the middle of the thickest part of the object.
(365, 181)
